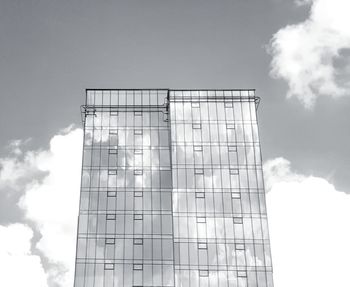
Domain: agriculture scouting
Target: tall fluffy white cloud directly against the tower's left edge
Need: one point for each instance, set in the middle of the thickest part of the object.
(49, 181)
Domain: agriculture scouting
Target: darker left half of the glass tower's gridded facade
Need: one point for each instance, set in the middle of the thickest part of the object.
(125, 221)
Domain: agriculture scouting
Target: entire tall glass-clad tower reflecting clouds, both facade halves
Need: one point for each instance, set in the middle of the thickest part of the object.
(172, 191)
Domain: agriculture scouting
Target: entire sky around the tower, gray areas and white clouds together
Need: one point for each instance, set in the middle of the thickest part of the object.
(296, 54)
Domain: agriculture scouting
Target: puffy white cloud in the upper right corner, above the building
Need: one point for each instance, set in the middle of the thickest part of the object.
(304, 54)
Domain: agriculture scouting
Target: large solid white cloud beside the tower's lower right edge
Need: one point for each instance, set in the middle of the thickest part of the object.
(309, 228)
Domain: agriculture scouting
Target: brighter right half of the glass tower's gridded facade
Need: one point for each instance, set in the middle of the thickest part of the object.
(219, 213)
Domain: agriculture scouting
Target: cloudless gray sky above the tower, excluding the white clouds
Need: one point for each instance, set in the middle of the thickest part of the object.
(52, 50)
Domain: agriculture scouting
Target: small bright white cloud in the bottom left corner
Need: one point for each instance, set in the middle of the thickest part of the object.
(18, 266)
